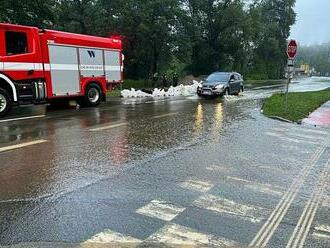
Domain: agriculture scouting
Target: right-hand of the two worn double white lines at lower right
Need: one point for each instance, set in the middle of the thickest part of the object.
(301, 230)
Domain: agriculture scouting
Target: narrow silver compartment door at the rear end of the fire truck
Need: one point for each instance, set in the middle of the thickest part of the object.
(112, 66)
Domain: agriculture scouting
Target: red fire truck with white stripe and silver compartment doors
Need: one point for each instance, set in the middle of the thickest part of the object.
(45, 66)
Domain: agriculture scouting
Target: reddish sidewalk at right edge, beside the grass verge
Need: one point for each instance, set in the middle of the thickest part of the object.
(320, 117)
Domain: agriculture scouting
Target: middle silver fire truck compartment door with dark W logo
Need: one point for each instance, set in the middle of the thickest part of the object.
(91, 62)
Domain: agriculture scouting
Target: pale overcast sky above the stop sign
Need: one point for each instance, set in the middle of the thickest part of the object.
(313, 22)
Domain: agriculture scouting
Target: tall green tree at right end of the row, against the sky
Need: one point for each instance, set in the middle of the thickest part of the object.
(272, 20)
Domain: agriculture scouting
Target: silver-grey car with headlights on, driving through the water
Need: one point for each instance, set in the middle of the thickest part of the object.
(221, 83)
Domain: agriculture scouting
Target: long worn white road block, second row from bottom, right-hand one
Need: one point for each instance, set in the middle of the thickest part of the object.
(223, 205)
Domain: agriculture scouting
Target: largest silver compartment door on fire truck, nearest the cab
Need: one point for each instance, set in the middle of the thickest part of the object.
(64, 70)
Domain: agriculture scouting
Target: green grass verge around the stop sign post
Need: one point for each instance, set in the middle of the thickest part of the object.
(300, 105)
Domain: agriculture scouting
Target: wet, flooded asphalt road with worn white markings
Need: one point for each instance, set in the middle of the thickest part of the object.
(172, 171)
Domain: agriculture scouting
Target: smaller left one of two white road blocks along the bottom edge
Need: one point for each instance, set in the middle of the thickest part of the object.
(111, 237)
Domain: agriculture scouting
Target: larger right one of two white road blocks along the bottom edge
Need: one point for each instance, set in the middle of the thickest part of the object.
(176, 235)
